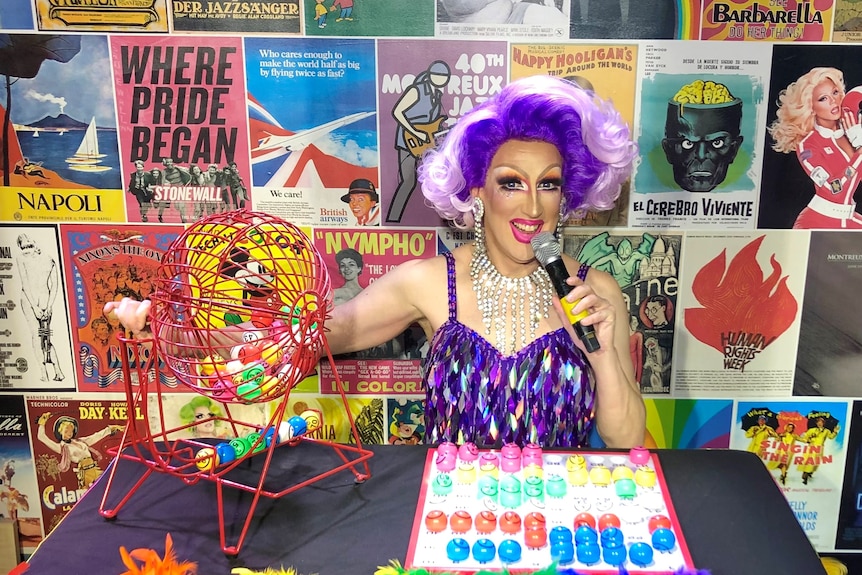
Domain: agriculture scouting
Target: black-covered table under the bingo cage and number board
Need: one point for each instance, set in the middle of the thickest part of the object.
(734, 518)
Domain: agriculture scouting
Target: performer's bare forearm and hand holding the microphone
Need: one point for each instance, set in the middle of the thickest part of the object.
(619, 409)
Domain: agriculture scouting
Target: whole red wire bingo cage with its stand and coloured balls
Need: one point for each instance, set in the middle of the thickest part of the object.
(237, 315)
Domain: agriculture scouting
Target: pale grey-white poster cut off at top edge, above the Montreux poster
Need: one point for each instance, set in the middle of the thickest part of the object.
(526, 20)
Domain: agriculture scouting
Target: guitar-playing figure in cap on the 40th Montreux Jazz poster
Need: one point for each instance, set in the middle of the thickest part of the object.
(419, 115)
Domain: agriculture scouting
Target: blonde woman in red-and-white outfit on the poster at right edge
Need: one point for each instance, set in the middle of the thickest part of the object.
(820, 122)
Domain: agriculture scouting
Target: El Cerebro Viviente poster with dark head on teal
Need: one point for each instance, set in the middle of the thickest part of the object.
(699, 134)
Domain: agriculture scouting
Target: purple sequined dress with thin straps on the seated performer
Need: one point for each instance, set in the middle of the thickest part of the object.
(542, 394)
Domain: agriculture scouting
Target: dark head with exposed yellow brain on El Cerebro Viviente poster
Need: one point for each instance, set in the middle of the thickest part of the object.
(702, 134)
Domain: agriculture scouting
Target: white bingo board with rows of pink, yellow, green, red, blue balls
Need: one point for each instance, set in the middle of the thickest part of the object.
(523, 509)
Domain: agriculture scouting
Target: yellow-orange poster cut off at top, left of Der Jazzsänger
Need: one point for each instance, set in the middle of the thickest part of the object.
(98, 16)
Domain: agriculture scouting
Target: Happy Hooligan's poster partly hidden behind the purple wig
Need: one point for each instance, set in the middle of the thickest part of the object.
(607, 70)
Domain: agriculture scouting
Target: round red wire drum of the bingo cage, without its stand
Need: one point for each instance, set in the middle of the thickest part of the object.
(247, 287)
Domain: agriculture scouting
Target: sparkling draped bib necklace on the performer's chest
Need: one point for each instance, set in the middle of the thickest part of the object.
(509, 304)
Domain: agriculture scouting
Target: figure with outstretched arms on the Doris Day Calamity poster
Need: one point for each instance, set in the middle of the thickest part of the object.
(76, 453)
